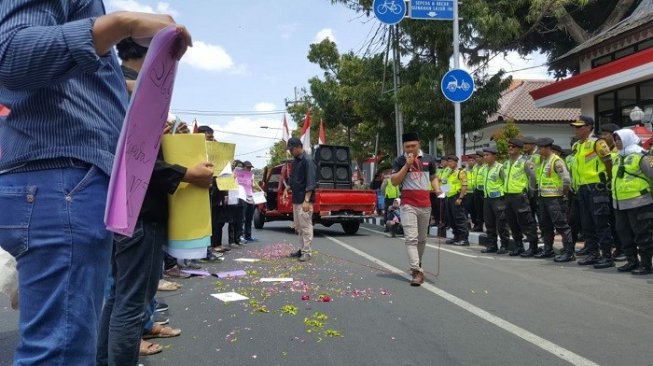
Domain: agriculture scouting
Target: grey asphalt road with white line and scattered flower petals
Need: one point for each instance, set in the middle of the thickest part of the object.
(478, 310)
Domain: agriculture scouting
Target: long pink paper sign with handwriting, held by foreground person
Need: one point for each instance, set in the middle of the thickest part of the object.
(140, 137)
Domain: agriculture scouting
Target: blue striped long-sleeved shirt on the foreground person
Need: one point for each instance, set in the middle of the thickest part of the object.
(65, 100)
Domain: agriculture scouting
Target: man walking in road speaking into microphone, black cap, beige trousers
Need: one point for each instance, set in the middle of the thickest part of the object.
(413, 171)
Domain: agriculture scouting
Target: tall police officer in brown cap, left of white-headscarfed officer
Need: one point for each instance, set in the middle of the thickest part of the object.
(592, 170)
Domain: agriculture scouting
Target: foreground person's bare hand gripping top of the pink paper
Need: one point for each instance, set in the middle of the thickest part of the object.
(143, 27)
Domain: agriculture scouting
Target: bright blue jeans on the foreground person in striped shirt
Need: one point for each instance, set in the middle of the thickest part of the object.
(52, 222)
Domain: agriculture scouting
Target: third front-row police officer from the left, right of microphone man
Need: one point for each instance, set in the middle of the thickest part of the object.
(520, 182)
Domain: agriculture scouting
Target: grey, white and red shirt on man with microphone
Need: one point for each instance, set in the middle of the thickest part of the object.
(415, 189)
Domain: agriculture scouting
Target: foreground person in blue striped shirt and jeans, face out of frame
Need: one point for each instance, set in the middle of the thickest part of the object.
(58, 150)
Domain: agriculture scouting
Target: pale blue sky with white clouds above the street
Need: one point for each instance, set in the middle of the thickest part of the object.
(250, 55)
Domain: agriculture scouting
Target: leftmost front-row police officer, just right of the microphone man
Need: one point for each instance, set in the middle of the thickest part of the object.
(457, 183)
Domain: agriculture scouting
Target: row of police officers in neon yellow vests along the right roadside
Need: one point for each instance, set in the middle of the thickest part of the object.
(599, 192)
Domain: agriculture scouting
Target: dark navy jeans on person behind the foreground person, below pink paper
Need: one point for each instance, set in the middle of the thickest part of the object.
(136, 267)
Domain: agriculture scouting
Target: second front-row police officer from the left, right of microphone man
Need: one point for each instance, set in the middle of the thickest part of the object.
(494, 206)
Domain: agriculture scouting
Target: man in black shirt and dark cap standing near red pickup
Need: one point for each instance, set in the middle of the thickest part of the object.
(302, 183)
